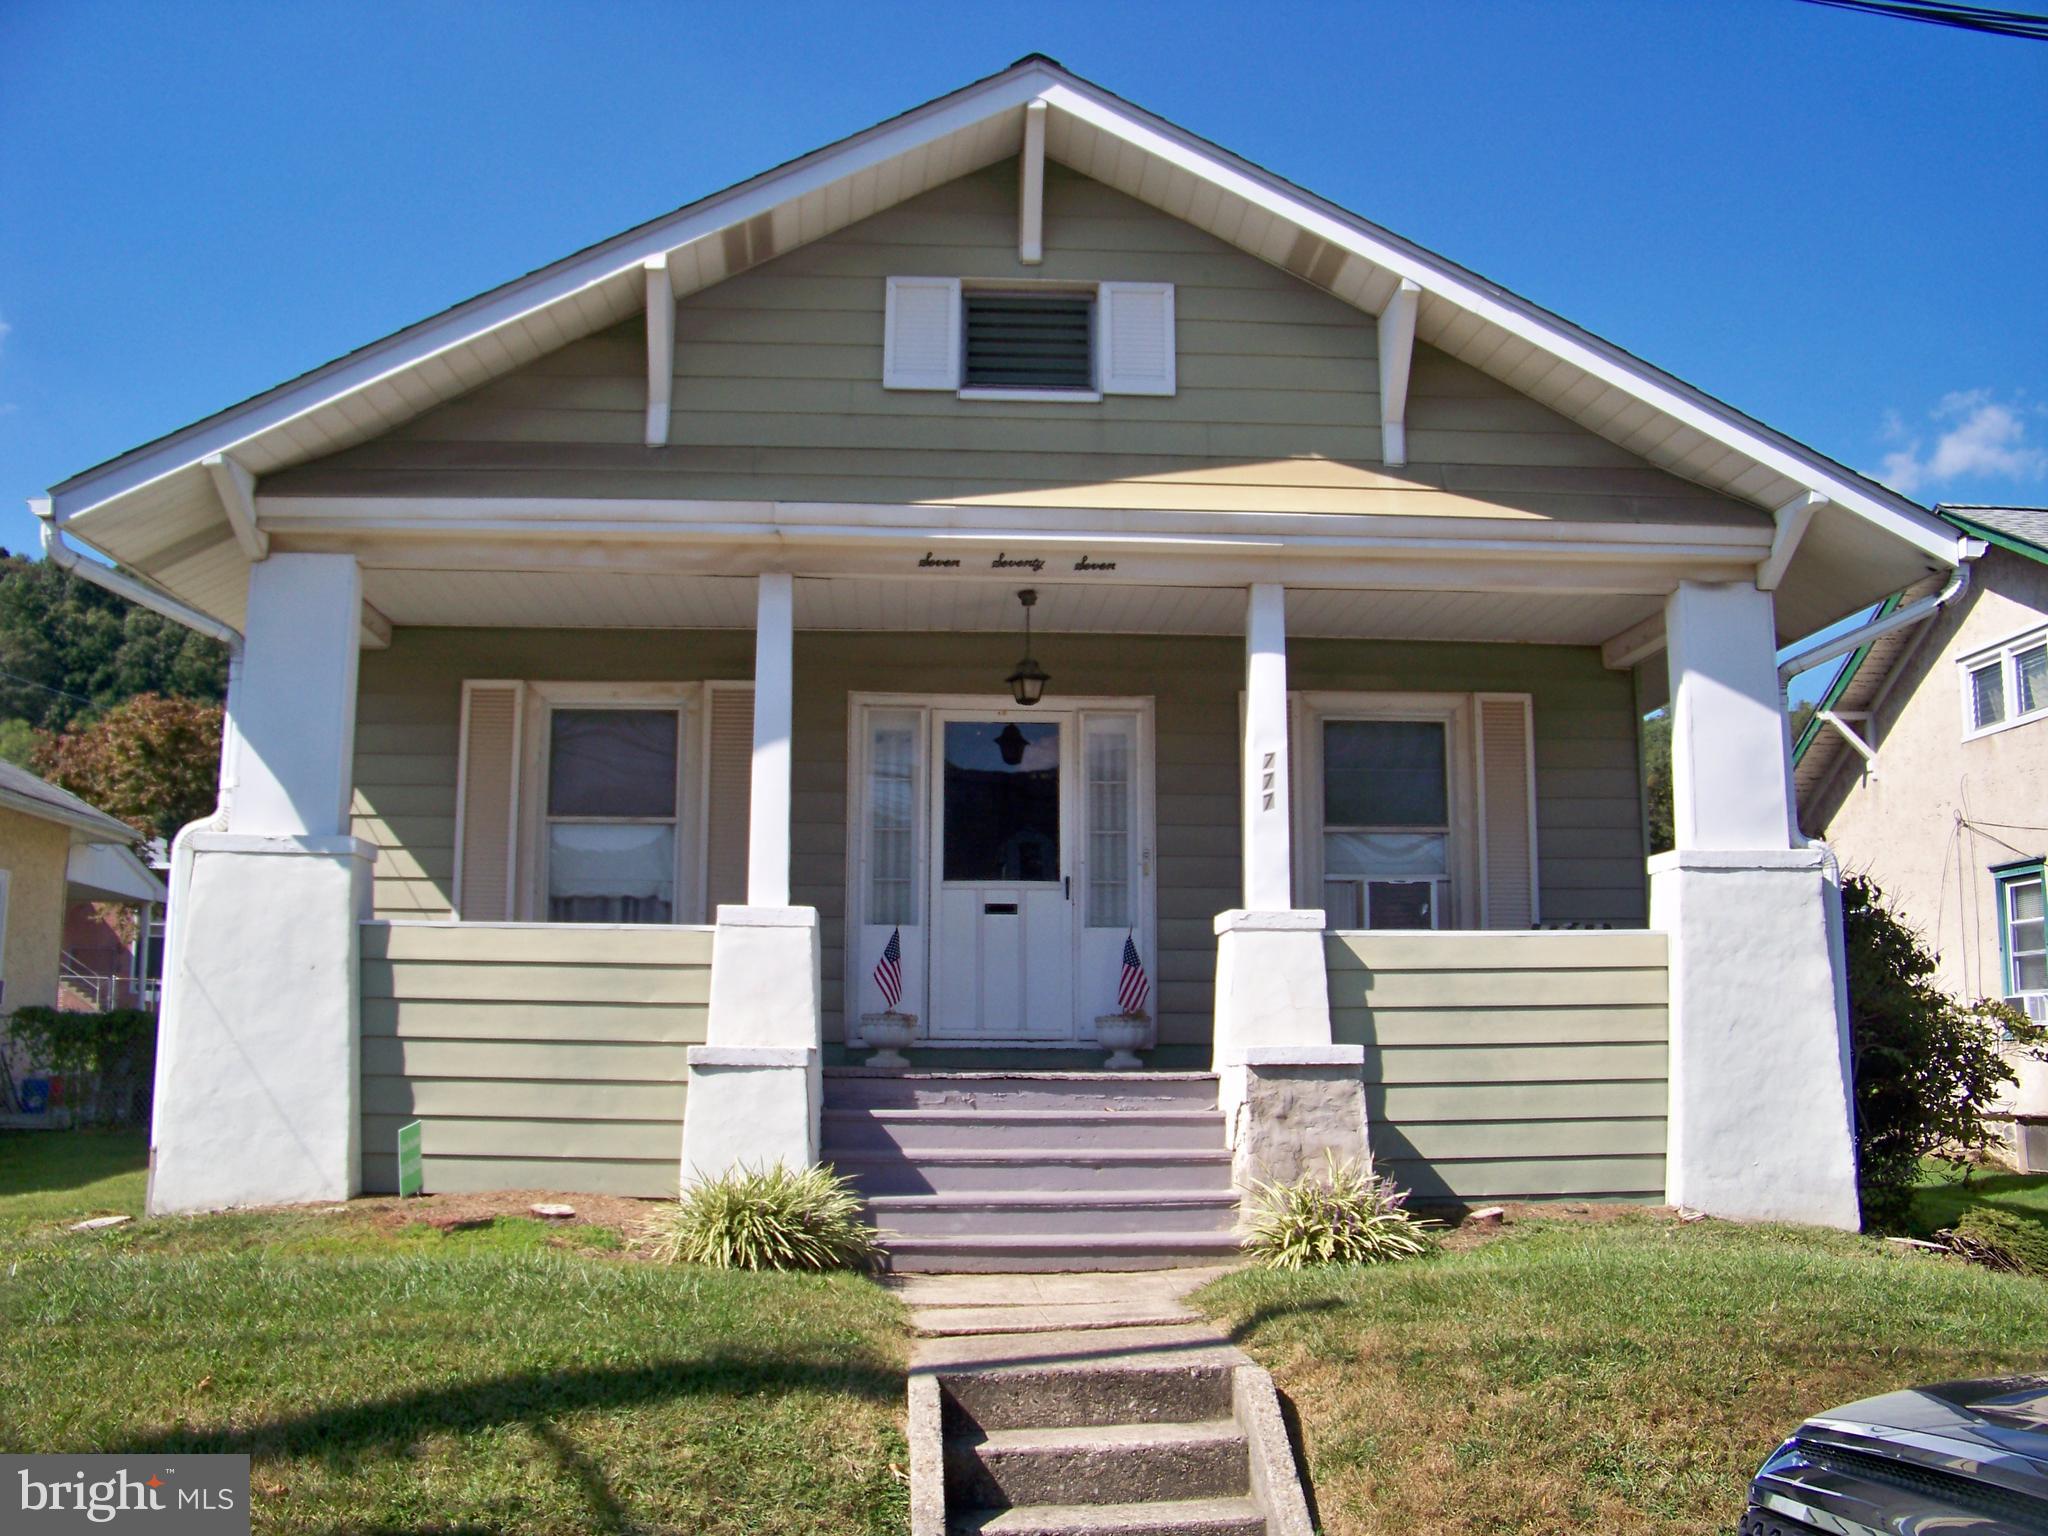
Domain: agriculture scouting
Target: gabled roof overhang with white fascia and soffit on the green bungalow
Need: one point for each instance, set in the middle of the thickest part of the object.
(159, 505)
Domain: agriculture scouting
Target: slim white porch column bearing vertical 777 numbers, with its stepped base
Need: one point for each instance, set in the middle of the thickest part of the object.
(1289, 1093)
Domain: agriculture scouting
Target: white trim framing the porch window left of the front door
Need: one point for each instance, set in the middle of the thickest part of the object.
(691, 767)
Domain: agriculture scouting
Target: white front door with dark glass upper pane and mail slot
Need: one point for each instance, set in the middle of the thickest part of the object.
(1002, 855)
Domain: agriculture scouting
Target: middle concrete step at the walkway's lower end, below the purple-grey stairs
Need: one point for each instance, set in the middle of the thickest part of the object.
(1117, 1463)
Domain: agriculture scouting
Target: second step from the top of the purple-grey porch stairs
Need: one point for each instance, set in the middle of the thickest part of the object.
(916, 1132)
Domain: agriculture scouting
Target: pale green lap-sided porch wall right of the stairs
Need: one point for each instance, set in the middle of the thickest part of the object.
(1510, 1066)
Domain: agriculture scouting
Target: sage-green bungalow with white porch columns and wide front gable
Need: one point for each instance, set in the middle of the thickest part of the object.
(626, 656)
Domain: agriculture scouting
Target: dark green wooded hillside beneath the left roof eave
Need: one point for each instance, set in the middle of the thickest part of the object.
(71, 650)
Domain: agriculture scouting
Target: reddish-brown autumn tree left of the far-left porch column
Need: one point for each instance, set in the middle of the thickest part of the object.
(153, 763)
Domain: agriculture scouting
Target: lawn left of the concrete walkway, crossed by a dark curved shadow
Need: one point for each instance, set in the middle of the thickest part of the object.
(499, 1377)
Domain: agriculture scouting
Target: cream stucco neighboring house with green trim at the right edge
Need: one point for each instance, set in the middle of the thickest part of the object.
(1928, 769)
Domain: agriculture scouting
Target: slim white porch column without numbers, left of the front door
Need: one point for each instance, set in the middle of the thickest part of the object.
(757, 1084)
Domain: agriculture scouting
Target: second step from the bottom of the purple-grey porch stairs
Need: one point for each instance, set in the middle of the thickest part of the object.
(1056, 1215)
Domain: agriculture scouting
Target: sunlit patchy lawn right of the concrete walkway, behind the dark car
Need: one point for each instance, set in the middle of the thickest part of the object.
(1574, 1377)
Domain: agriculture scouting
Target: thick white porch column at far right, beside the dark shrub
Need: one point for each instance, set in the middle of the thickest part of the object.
(1762, 1125)
